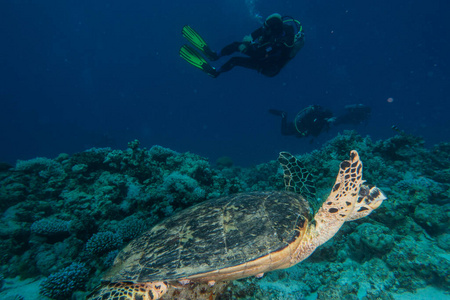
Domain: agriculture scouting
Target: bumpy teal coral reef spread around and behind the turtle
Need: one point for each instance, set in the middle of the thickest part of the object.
(79, 210)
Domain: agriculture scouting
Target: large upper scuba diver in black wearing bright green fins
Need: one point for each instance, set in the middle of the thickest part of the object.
(268, 49)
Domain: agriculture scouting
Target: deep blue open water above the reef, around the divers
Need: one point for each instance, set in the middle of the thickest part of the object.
(79, 74)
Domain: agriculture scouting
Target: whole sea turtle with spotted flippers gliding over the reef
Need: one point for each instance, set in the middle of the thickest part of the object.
(192, 254)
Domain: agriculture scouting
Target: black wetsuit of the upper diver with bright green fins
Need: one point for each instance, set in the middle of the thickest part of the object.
(268, 53)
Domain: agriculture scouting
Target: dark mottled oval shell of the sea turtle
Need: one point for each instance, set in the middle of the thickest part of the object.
(213, 235)
